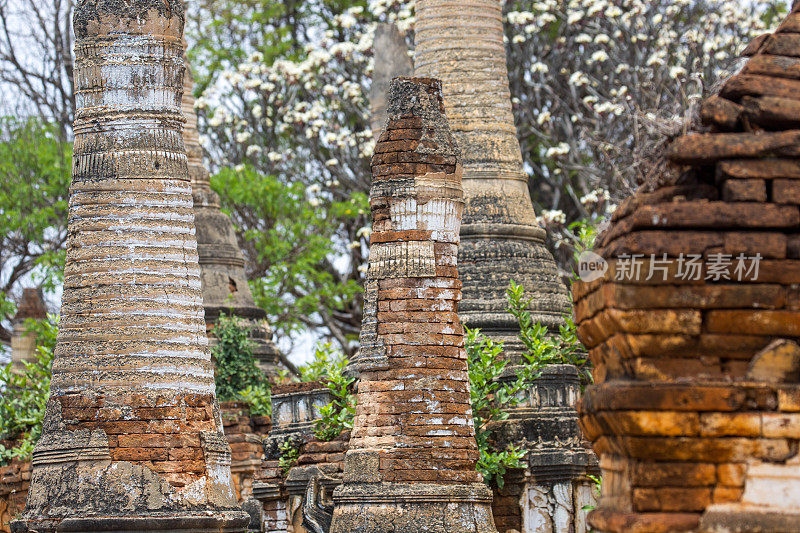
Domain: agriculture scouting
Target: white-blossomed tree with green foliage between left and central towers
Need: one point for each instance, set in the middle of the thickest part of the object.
(283, 103)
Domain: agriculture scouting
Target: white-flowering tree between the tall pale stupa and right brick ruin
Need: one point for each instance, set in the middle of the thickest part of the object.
(597, 83)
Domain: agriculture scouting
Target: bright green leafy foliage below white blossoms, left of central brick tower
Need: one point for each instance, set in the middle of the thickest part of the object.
(289, 240)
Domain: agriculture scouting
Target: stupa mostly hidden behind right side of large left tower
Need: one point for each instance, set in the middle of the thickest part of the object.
(225, 286)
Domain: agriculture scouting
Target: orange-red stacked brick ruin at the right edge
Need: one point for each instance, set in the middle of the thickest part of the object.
(693, 330)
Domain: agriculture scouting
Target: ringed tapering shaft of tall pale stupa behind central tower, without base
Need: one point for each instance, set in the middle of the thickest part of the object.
(461, 43)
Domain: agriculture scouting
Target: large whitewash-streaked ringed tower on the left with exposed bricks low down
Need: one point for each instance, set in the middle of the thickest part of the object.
(132, 435)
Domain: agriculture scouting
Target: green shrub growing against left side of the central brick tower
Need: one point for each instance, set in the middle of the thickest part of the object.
(328, 366)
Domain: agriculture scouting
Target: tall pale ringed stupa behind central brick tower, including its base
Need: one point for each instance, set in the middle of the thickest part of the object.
(461, 42)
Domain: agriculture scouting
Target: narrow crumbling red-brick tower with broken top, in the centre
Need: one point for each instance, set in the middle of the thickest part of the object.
(411, 463)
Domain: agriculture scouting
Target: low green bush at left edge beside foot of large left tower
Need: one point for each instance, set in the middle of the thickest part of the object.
(24, 395)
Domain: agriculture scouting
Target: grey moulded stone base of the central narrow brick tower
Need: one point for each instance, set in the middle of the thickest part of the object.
(412, 508)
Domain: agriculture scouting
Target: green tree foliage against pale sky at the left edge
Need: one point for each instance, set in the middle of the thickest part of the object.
(35, 169)
